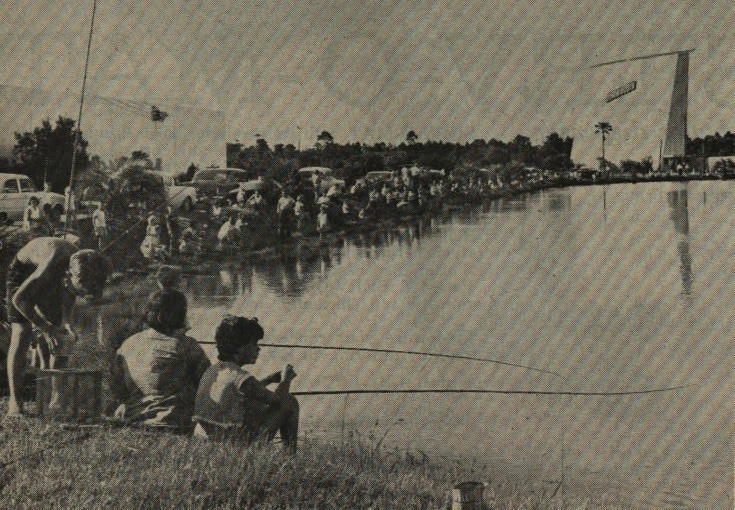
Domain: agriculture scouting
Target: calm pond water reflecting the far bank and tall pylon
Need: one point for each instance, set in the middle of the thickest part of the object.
(617, 288)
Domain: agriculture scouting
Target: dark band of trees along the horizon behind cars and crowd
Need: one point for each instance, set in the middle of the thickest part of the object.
(45, 153)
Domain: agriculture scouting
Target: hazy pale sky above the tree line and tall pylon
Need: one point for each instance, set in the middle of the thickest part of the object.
(363, 70)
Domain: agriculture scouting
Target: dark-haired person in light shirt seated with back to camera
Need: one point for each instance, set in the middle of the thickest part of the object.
(156, 372)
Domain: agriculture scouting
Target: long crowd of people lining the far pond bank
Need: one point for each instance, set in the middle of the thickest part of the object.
(263, 215)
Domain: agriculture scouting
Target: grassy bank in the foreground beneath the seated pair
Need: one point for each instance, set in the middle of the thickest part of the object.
(135, 469)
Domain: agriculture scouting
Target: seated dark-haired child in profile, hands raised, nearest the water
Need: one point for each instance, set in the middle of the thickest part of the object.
(232, 404)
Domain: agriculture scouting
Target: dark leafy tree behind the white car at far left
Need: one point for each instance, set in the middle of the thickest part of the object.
(46, 153)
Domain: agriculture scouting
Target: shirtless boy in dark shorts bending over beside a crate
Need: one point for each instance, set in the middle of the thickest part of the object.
(42, 283)
